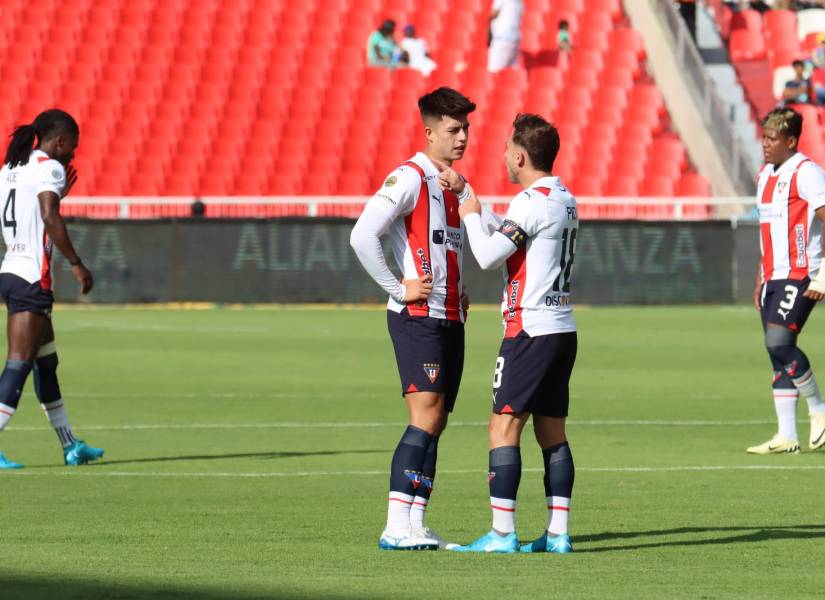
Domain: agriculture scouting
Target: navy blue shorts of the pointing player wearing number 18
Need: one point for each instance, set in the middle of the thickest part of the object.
(533, 374)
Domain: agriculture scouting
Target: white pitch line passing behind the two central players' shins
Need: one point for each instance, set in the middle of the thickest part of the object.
(673, 469)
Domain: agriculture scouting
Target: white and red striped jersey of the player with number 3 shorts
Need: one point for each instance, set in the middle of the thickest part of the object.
(790, 233)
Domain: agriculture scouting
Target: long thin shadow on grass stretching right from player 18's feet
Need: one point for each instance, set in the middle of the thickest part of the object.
(737, 535)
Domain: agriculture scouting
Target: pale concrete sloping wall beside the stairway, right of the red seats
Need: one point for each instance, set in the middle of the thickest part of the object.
(681, 98)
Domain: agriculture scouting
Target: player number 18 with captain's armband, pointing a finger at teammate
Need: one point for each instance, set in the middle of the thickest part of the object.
(535, 244)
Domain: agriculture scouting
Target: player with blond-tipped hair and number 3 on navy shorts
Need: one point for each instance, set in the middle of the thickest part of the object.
(789, 281)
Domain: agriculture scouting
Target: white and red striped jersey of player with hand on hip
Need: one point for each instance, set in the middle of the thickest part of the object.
(427, 236)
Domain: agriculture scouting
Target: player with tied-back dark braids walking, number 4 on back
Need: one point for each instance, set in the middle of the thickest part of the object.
(35, 175)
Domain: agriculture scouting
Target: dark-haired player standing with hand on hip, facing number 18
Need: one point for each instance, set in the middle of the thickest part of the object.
(418, 207)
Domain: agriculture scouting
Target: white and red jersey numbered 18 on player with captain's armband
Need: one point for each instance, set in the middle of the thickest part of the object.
(537, 276)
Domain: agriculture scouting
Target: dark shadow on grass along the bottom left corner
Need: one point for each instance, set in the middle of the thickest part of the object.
(30, 587)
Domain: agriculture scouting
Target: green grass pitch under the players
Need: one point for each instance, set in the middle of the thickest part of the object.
(247, 455)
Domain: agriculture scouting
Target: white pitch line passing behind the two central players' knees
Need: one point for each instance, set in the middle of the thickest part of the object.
(367, 424)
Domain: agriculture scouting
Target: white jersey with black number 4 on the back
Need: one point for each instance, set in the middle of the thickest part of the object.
(28, 247)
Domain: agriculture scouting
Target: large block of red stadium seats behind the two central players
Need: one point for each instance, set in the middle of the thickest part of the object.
(255, 97)
